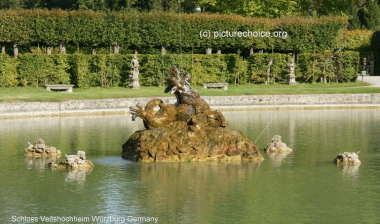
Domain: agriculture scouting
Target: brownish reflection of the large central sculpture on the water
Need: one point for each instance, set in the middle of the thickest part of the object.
(185, 187)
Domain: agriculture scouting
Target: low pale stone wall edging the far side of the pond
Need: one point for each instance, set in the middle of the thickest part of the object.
(121, 105)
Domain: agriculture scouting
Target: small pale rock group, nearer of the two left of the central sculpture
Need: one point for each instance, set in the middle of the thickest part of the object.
(77, 161)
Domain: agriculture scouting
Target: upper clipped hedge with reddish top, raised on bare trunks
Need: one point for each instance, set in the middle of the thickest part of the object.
(156, 29)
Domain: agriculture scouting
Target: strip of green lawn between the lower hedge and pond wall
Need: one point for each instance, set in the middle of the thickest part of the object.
(29, 94)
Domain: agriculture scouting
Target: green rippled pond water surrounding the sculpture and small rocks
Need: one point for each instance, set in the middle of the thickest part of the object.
(303, 186)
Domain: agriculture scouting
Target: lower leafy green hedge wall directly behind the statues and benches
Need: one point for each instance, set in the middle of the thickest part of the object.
(114, 70)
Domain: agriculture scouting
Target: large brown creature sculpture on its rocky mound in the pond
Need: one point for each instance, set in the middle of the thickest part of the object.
(188, 130)
